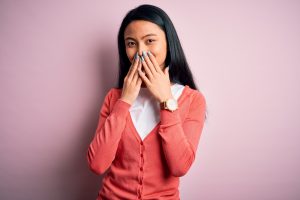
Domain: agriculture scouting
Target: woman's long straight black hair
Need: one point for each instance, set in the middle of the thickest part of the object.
(179, 70)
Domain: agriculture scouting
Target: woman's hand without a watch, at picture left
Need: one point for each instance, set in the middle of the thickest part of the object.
(132, 83)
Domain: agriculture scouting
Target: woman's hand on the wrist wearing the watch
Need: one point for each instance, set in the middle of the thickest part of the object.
(156, 80)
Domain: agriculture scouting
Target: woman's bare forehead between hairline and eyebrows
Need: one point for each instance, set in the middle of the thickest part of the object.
(139, 28)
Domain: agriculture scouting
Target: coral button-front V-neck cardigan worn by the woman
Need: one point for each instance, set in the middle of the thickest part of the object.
(149, 168)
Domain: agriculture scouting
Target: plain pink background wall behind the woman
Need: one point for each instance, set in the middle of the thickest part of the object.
(59, 58)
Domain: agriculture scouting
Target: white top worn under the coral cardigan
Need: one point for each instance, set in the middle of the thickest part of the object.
(145, 110)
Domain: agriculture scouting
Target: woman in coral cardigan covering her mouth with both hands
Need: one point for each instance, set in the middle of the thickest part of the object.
(149, 127)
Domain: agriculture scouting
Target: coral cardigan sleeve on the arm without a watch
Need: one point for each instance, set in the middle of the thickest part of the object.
(102, 149)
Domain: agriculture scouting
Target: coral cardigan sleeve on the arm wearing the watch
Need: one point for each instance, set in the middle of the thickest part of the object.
(180, 139)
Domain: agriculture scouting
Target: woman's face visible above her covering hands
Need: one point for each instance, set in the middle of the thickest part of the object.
(141, 35)
